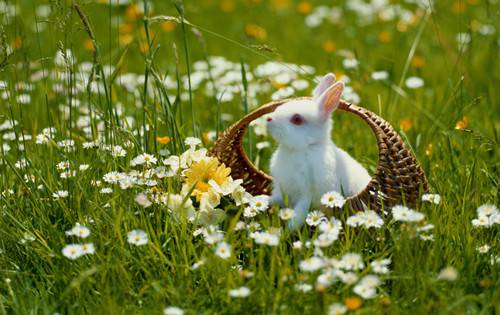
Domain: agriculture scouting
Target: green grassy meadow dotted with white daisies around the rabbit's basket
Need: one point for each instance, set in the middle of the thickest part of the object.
(111, 204)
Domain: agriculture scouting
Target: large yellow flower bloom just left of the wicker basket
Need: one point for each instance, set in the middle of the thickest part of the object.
(201, 172)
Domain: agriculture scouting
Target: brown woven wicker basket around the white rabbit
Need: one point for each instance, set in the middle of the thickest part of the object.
(398, 178)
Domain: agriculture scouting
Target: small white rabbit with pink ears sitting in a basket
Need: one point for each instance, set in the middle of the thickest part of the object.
(307, 163)
